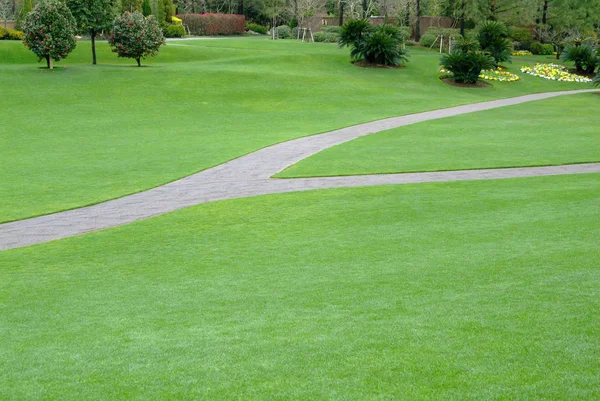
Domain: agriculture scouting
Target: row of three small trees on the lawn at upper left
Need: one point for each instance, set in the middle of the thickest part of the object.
(50, 29)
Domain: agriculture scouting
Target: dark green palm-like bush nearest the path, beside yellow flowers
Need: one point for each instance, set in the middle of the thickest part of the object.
(466, 67)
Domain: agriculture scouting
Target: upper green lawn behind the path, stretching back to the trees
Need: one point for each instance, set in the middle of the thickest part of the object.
(83, 134)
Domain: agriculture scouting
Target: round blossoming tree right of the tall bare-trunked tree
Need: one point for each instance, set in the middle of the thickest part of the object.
(135, 36)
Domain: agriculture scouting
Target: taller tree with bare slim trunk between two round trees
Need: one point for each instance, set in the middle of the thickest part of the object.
(93, 16)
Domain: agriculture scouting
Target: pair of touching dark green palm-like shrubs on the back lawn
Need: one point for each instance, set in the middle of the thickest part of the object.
(380, 45)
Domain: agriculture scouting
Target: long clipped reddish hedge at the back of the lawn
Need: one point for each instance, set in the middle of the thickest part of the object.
(214, 24)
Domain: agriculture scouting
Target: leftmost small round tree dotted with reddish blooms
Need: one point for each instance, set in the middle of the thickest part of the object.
(50, 31)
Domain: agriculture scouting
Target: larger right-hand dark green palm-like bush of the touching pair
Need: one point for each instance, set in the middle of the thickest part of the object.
(383, 46)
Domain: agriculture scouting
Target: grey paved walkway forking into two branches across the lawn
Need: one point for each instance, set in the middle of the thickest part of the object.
(250, 175)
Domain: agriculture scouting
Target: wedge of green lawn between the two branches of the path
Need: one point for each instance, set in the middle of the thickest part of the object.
(548, 132)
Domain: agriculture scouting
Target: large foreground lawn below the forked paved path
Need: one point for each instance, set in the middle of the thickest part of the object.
(468, 290)
